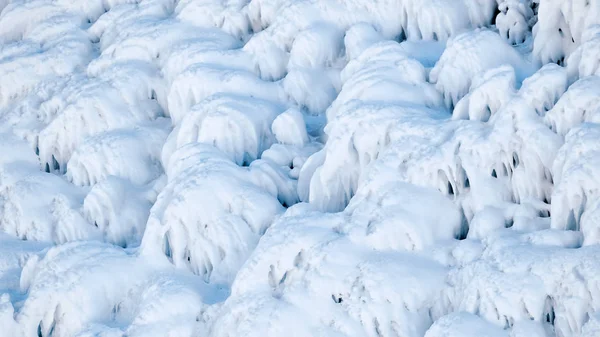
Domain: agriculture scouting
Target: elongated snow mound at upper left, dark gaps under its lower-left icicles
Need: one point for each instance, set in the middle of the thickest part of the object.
(91, 107)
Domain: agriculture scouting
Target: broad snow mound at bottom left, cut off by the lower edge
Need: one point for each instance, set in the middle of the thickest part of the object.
(89, 288)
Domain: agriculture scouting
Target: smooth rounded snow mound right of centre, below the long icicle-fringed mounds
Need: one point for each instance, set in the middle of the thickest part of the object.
(391, 212)
